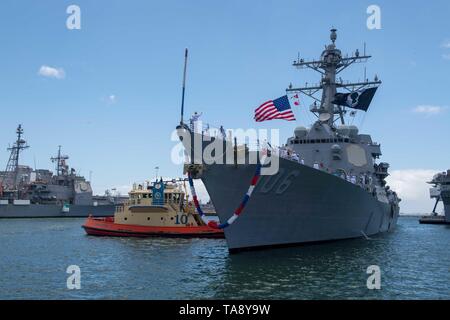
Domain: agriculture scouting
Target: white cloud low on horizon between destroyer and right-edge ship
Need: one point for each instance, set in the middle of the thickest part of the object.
(411, 186)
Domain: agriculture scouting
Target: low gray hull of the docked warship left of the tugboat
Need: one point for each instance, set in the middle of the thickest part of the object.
(54, 211)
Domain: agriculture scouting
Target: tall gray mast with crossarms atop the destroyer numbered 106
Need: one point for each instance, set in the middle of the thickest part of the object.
(329, 66)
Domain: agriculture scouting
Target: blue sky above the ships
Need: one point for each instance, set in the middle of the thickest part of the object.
(240, 55)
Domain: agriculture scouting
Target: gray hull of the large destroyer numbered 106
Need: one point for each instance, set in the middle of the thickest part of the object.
(315, 207)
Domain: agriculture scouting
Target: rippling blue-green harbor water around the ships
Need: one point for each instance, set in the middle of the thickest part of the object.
(34, 256)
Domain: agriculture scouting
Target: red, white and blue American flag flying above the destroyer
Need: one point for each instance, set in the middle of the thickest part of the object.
(275, 109)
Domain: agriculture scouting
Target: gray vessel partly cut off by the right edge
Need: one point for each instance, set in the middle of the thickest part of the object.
(441, 192)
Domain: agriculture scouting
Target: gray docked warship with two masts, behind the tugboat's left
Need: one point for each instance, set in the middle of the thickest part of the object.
(28, 193)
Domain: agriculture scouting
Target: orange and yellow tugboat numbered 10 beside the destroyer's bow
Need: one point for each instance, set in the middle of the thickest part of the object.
(161, 209)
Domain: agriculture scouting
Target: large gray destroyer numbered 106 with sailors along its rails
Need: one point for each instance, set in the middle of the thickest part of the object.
(333, 189)
